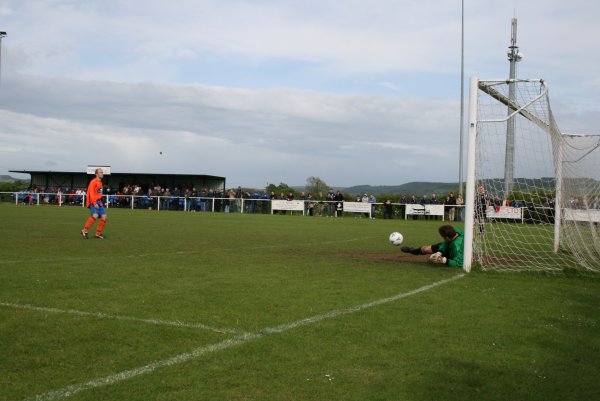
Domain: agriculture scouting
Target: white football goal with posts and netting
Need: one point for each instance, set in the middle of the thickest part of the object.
(532, 191)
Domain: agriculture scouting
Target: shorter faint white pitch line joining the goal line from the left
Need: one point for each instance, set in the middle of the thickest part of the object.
(102, 315)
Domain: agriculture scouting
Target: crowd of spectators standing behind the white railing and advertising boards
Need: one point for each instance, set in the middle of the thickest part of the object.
(330, 204)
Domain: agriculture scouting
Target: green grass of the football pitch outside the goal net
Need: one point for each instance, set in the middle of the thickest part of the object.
(492, 336)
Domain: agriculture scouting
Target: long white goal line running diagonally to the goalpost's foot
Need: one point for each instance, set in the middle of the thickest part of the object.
(128, 374)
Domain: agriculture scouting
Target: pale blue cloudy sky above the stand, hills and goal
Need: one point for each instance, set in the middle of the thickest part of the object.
(269, 91)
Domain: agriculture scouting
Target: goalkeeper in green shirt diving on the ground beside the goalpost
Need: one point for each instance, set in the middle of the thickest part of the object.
(450, 252)
